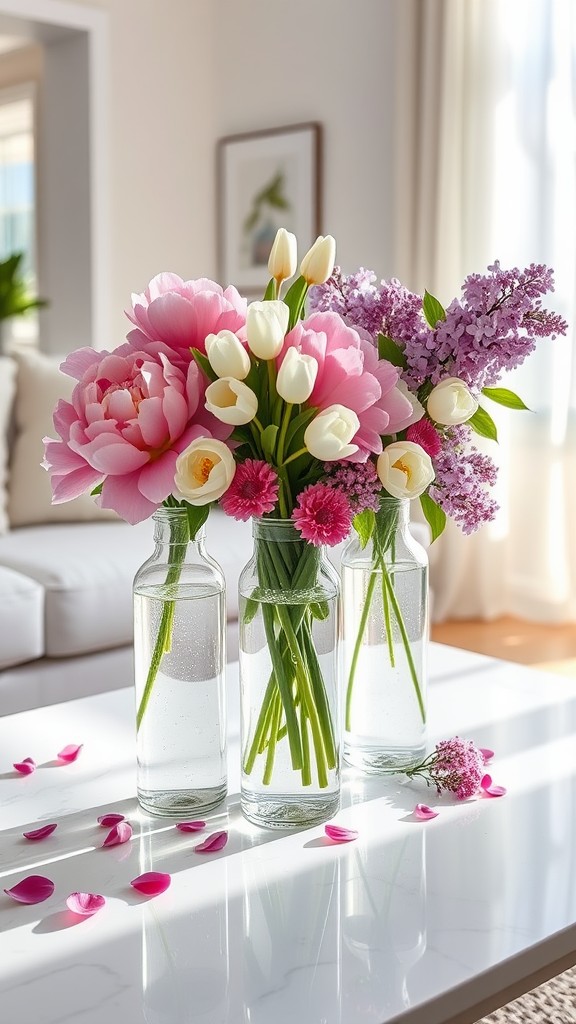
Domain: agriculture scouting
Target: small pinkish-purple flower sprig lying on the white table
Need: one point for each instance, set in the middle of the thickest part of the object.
(455, 766)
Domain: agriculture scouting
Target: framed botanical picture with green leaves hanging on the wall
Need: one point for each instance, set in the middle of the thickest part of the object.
(267, 180)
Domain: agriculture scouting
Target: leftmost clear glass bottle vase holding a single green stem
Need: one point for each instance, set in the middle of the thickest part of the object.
(180, 660)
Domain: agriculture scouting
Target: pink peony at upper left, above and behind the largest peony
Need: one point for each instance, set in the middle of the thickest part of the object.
(175, 316)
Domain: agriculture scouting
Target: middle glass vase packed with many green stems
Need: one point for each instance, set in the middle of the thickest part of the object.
(290, 635)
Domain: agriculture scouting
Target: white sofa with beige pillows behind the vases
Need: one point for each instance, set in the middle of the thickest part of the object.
(66, 572)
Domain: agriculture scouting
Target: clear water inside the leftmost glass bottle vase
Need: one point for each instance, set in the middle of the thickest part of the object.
(182, 739)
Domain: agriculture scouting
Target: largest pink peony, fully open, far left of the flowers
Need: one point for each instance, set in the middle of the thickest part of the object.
(130, 418)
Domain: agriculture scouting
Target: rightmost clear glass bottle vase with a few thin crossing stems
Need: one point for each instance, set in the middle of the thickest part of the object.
(385, 598)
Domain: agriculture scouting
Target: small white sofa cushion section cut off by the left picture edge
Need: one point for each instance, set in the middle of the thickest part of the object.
(22, 616)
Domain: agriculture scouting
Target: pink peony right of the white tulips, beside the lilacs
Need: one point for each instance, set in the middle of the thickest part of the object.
(350, 374)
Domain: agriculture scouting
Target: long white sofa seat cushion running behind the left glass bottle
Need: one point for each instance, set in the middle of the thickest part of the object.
(88, 571)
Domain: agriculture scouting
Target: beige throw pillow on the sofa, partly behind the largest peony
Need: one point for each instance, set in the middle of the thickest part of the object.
(40, 385)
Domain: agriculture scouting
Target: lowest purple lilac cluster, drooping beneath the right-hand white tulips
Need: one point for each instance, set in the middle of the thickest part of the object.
(462, 476)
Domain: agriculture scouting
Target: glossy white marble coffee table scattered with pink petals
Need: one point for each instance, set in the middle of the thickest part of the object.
(416, 922)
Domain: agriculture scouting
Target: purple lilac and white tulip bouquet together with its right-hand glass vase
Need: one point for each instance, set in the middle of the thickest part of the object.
(448, 361)
